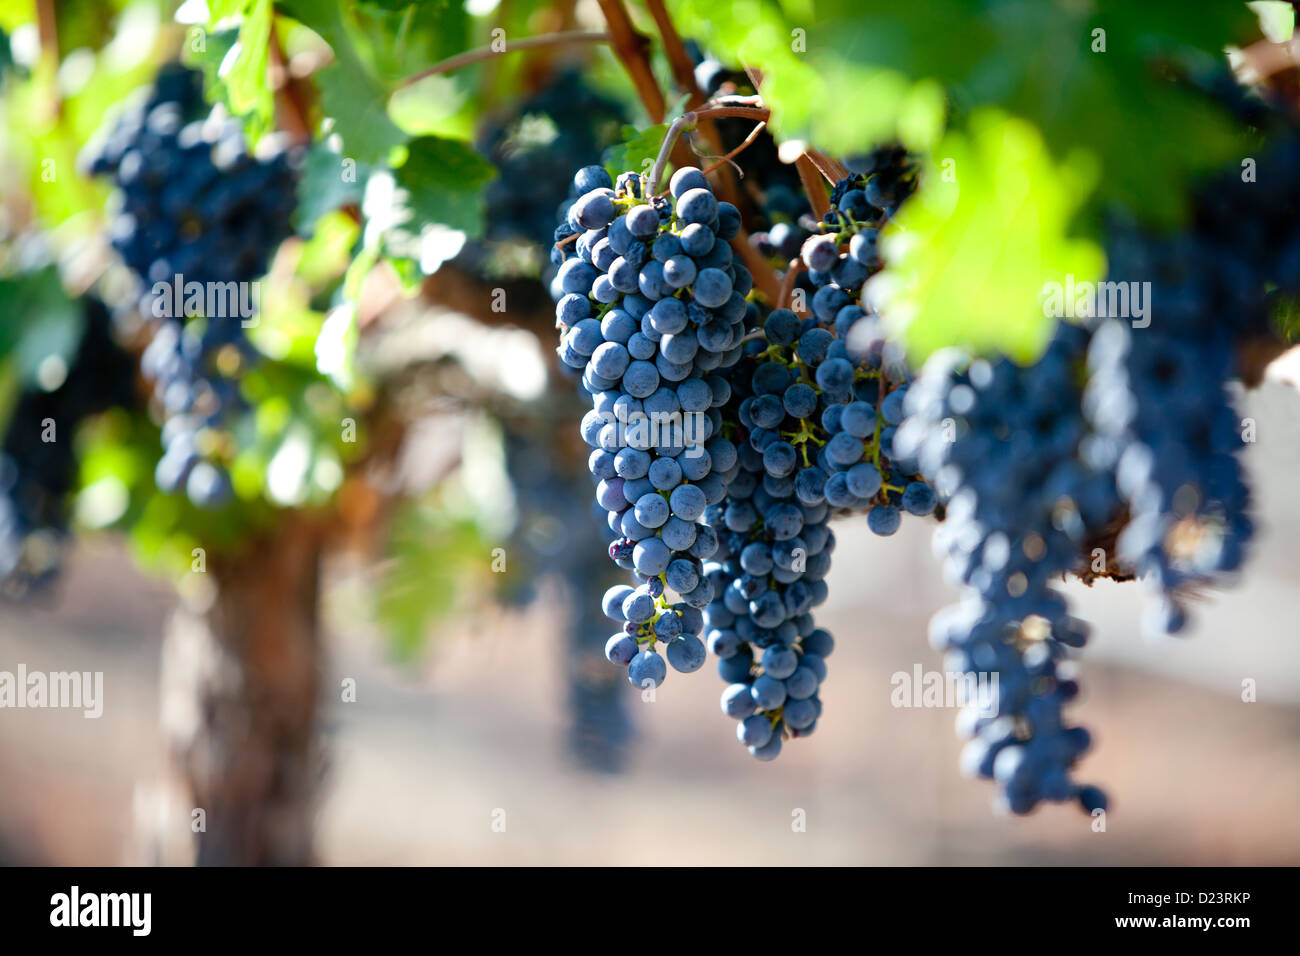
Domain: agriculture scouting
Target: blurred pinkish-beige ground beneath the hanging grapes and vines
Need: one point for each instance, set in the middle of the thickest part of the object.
(426, 758)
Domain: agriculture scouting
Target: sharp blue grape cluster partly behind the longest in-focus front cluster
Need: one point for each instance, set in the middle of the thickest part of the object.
(816, 406)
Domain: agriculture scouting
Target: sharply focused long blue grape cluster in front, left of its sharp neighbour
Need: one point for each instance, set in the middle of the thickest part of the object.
(651, 306)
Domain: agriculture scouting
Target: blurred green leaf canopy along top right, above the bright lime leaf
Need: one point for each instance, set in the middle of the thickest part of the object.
(853, 85)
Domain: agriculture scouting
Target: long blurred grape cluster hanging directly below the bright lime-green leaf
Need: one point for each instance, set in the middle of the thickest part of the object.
(1012, 452)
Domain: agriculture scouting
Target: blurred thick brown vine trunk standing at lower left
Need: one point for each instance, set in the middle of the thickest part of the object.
(241, 685)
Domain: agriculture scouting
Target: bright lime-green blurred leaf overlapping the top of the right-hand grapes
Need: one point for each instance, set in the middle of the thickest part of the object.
(970, 254)
